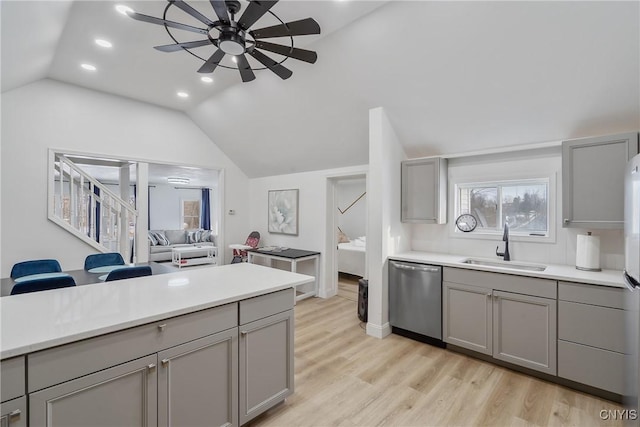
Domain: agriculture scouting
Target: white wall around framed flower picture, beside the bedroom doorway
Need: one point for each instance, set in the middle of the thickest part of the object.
(312, 214)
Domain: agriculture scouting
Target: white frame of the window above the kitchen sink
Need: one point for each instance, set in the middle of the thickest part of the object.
(493, 234)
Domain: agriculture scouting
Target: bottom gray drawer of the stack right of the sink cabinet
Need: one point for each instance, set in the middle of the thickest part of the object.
(591, 366)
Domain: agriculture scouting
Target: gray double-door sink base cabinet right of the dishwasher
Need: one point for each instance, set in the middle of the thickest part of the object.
(510, 318)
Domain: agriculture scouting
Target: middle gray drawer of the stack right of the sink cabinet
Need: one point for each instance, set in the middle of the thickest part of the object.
(592, 325)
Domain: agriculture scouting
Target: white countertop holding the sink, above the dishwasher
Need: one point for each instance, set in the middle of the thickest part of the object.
(569, 273)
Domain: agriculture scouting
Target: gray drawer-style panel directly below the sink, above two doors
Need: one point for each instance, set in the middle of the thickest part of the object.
(502, 282)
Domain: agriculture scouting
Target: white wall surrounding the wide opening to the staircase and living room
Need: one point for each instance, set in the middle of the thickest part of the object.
(50, 114)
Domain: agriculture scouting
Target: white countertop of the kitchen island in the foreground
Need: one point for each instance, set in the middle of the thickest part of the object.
(39, 320)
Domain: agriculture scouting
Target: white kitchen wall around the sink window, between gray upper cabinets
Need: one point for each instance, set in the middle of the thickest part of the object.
(526, 164)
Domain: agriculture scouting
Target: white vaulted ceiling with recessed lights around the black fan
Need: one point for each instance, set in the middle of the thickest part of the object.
(452, 76)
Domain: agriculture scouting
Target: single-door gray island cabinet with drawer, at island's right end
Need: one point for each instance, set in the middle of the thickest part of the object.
(266, 352)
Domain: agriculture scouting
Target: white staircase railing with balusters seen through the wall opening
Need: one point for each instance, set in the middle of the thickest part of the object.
(89, 210)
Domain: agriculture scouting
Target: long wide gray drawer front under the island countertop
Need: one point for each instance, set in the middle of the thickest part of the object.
(63, 363)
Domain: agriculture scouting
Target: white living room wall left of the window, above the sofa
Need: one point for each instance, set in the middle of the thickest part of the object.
(165, 203)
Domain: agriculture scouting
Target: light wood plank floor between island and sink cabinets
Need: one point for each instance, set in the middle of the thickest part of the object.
(345, 378)
